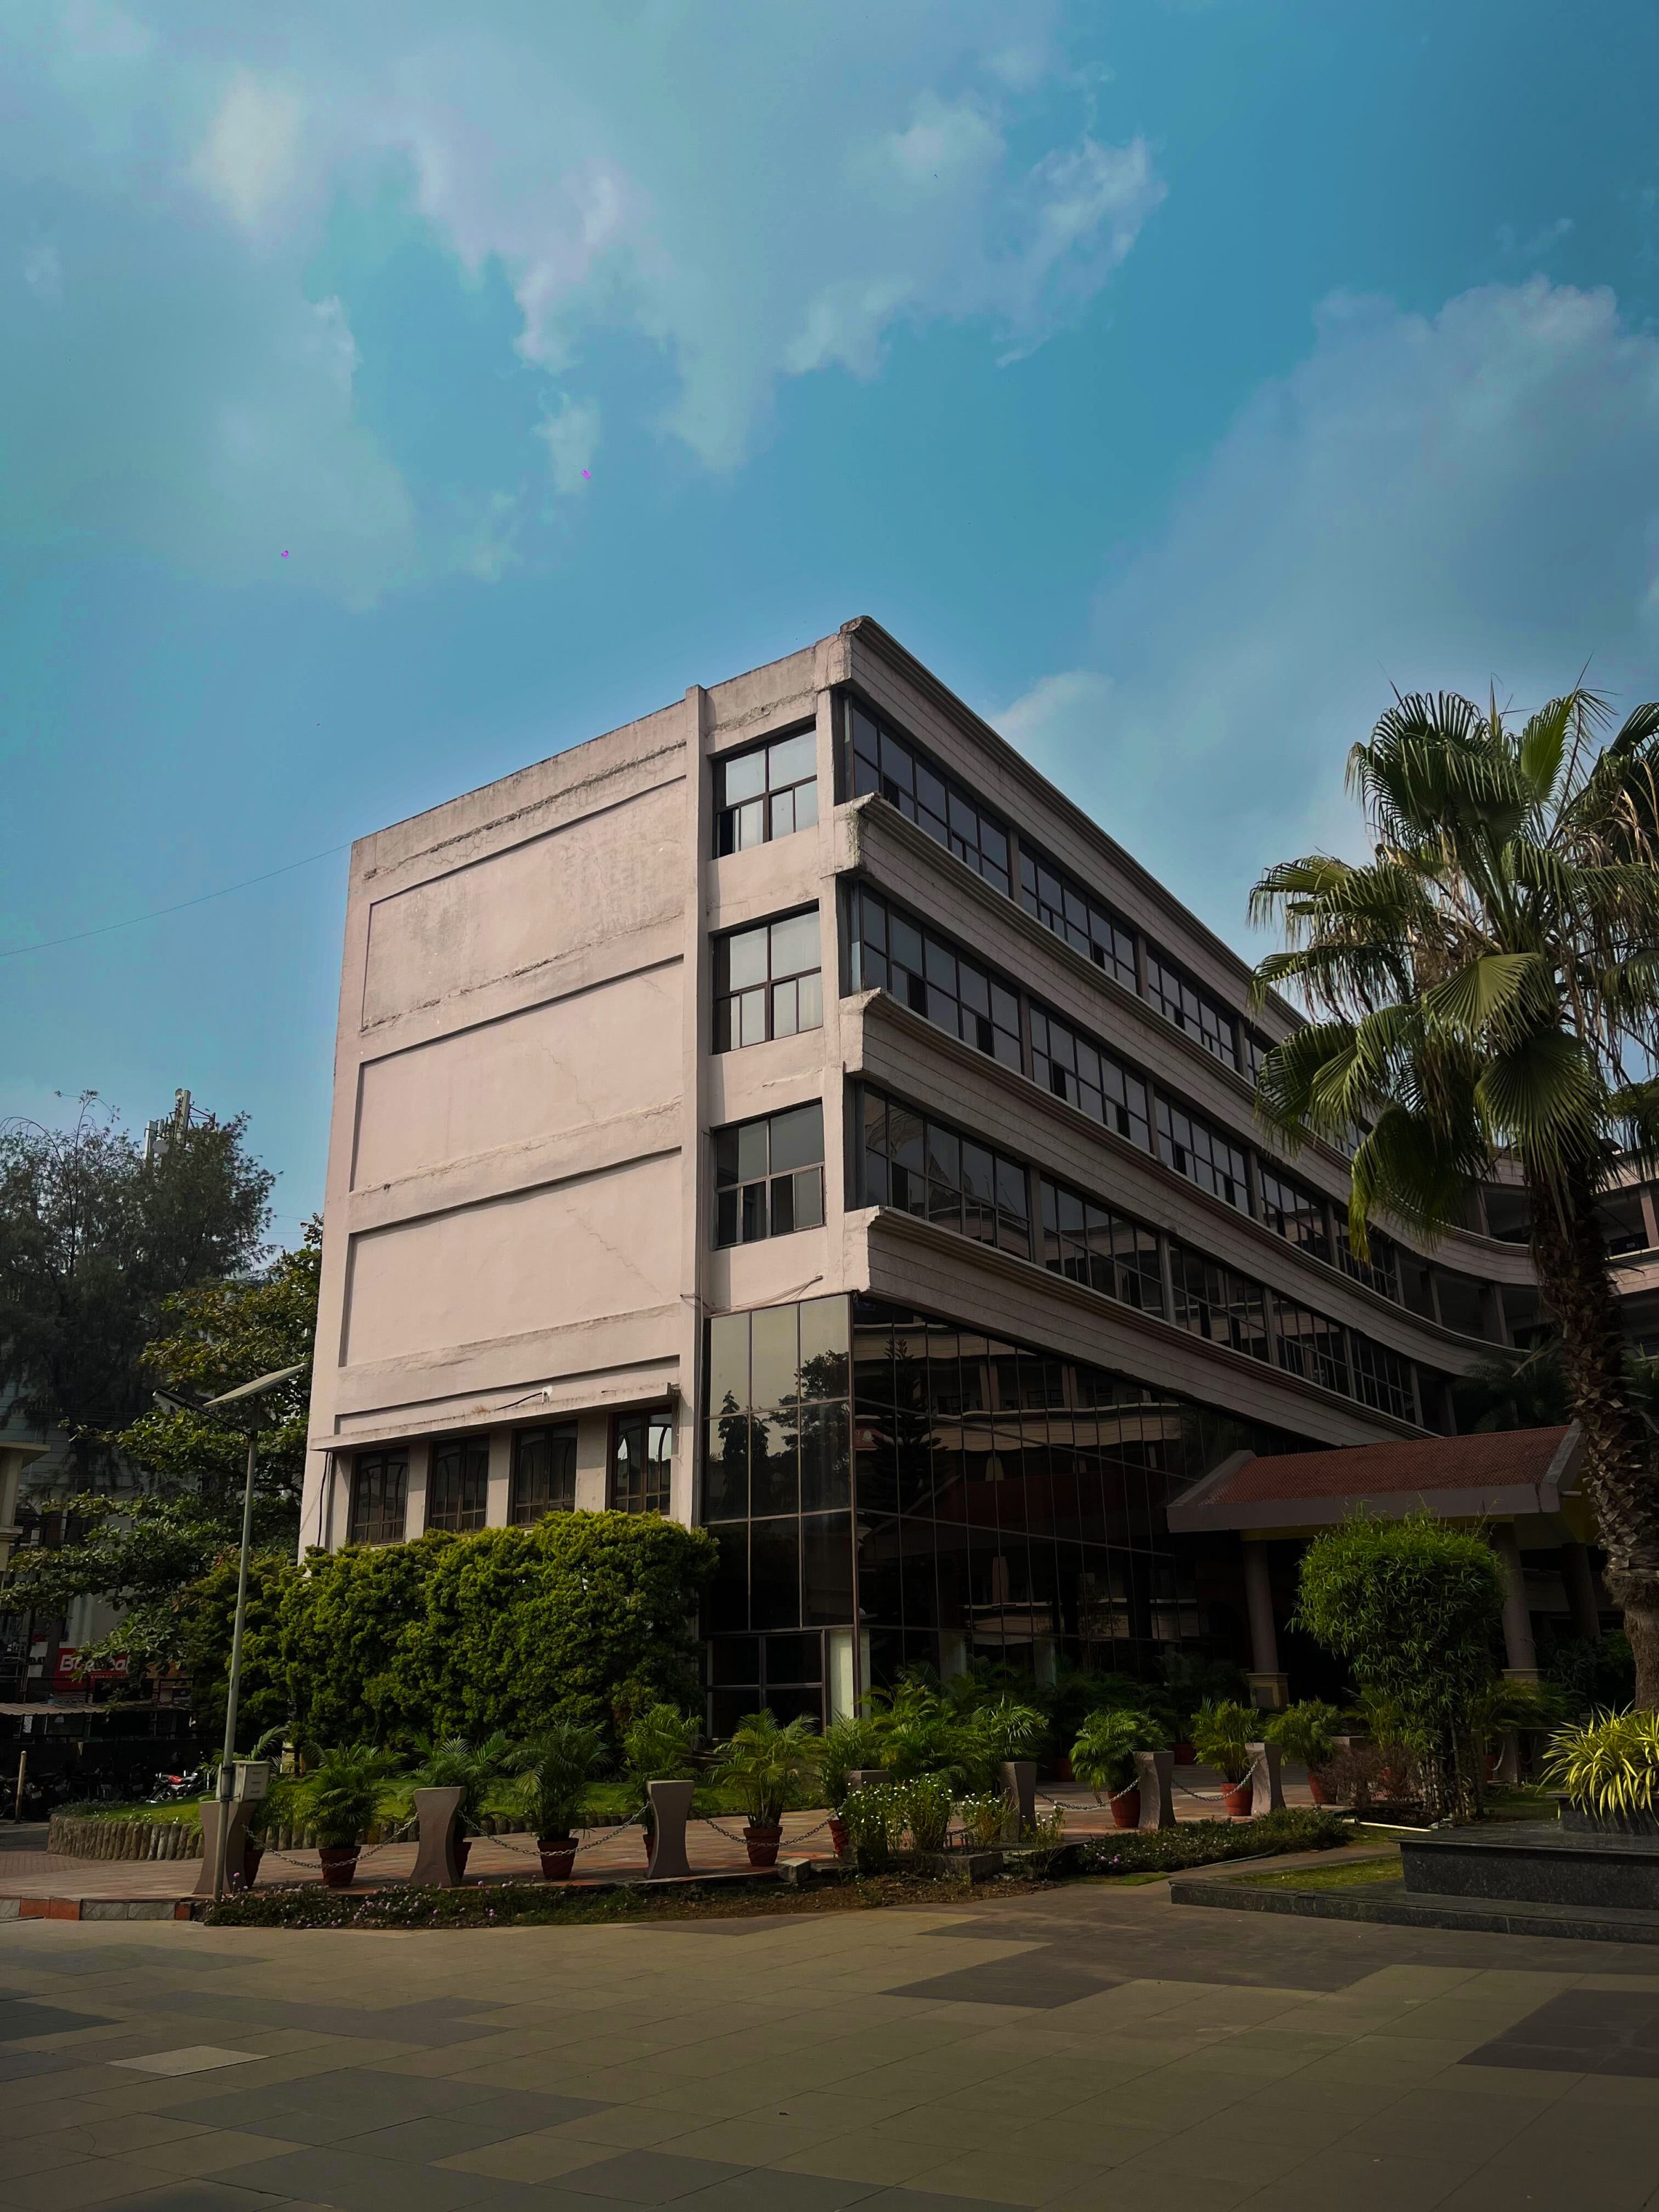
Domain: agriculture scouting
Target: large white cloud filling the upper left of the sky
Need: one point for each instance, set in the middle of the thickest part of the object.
(762, 200)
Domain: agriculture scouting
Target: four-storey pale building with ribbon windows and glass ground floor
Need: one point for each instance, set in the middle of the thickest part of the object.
(795, 1116)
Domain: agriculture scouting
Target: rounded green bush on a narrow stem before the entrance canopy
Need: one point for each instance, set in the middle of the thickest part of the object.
(1415, 1609)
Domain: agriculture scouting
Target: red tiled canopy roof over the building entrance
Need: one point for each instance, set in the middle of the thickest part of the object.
(1459, 1477)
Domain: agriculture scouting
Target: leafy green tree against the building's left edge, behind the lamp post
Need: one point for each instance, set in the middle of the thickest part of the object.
(145, 1554)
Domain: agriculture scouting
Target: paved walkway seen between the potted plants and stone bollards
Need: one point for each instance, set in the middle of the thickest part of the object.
(713, 1848)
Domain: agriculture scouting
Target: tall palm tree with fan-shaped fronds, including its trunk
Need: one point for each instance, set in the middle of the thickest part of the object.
(1488, 988)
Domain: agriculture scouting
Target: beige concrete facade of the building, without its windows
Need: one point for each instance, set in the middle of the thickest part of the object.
(521, 1196)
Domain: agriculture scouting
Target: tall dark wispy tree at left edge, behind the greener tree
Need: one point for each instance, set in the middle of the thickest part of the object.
(94, 1240)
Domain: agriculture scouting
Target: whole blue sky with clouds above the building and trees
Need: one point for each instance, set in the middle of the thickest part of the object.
(397, 395)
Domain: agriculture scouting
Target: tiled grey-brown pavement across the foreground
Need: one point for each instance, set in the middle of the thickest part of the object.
(1087, 2049)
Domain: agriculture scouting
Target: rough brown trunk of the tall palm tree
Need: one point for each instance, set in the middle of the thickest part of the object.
(1620, 1477)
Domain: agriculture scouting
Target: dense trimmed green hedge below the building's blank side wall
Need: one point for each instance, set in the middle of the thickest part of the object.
(461, 1634)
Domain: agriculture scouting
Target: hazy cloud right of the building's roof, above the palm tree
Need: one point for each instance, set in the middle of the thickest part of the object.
(1426, 501)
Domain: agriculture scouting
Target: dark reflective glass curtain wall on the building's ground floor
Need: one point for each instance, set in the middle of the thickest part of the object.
(943, 1496)
